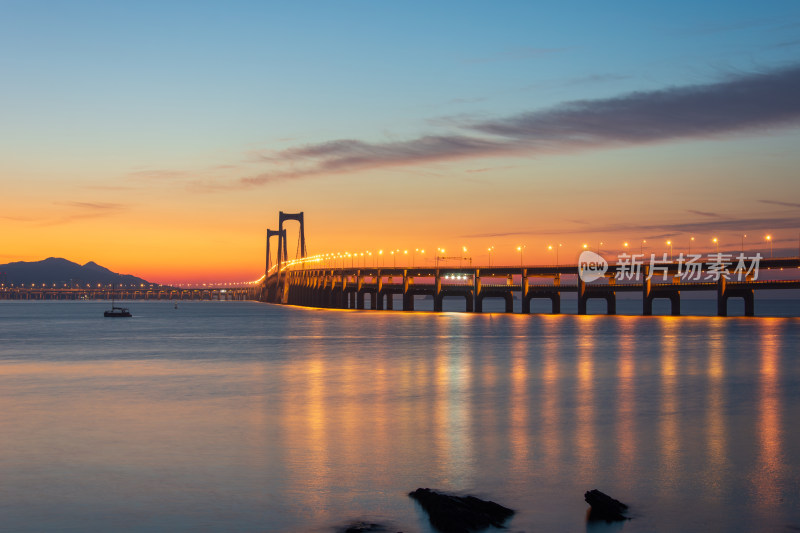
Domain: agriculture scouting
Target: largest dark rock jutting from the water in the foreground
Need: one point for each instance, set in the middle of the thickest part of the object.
(460, 514)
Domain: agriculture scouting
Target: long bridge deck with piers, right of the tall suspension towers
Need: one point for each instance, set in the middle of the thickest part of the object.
(309, 285)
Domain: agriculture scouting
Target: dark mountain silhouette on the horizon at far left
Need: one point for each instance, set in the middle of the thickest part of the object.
(57, 270)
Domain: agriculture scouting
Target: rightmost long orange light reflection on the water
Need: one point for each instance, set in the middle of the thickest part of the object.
(770, 457)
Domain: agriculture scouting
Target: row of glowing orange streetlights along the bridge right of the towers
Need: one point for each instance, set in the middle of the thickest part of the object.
(331, 259)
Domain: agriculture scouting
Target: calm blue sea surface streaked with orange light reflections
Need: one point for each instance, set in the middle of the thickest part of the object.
(223, 416)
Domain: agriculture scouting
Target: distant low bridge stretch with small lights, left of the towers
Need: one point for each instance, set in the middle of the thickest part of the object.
(155, 293)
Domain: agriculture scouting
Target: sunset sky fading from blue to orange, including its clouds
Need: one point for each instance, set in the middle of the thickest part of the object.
(161, 139)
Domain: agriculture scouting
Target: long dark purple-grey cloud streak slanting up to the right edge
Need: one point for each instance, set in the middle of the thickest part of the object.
(743, 103)
